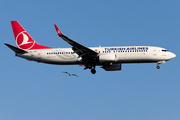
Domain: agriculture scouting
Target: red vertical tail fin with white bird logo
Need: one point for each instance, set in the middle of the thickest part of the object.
(23, 39)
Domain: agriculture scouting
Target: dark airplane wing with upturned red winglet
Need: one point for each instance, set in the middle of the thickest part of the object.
(79, 49)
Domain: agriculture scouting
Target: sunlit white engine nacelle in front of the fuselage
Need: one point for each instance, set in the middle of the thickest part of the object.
(107, 58)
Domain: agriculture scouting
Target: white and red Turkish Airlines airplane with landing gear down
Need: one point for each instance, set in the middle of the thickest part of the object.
(109, 58)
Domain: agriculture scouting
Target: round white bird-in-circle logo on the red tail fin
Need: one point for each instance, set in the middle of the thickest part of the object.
(24, 41)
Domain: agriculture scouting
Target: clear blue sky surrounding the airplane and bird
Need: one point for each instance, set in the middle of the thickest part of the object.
(34, 91)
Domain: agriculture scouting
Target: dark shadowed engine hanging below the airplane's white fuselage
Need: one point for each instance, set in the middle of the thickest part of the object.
(113, 67)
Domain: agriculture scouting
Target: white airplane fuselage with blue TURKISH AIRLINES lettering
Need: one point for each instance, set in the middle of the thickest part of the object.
(120, 54)
